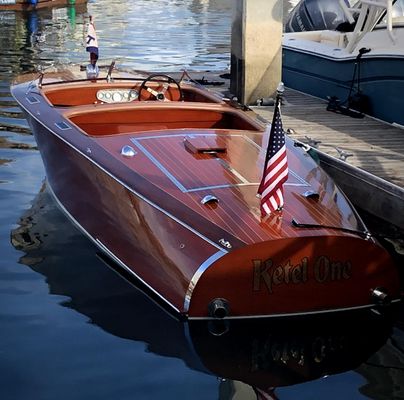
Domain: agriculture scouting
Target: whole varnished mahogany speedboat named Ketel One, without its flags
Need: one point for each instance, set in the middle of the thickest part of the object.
(167, 190)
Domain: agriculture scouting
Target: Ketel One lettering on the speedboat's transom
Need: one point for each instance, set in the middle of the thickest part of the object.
(324, 270)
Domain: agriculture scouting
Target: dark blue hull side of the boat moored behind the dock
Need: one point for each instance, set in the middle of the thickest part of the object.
(381, 80)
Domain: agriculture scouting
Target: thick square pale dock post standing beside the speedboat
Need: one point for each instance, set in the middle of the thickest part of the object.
(256, 49)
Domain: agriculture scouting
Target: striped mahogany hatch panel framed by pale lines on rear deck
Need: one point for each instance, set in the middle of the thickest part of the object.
(192, 172)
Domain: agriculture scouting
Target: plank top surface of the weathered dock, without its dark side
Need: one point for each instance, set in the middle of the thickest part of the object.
(372, 145)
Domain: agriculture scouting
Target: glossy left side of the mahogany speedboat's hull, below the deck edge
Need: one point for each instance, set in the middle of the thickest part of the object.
(136, 234)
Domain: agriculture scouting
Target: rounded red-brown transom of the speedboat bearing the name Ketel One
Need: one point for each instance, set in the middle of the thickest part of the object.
(294, 276)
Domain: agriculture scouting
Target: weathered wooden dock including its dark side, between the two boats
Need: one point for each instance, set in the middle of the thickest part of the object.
(365, 156)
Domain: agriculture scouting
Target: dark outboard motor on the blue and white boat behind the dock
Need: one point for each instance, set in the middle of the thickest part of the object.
(314, 15)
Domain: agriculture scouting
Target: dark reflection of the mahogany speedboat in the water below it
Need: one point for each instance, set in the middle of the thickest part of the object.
(253, 356)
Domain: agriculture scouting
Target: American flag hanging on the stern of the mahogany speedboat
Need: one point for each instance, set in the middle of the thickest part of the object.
(276, 167)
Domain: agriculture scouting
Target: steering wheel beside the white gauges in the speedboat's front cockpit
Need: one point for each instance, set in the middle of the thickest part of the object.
(157, 87)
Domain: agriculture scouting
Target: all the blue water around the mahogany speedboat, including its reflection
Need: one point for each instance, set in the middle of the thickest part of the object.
(70, 328)
